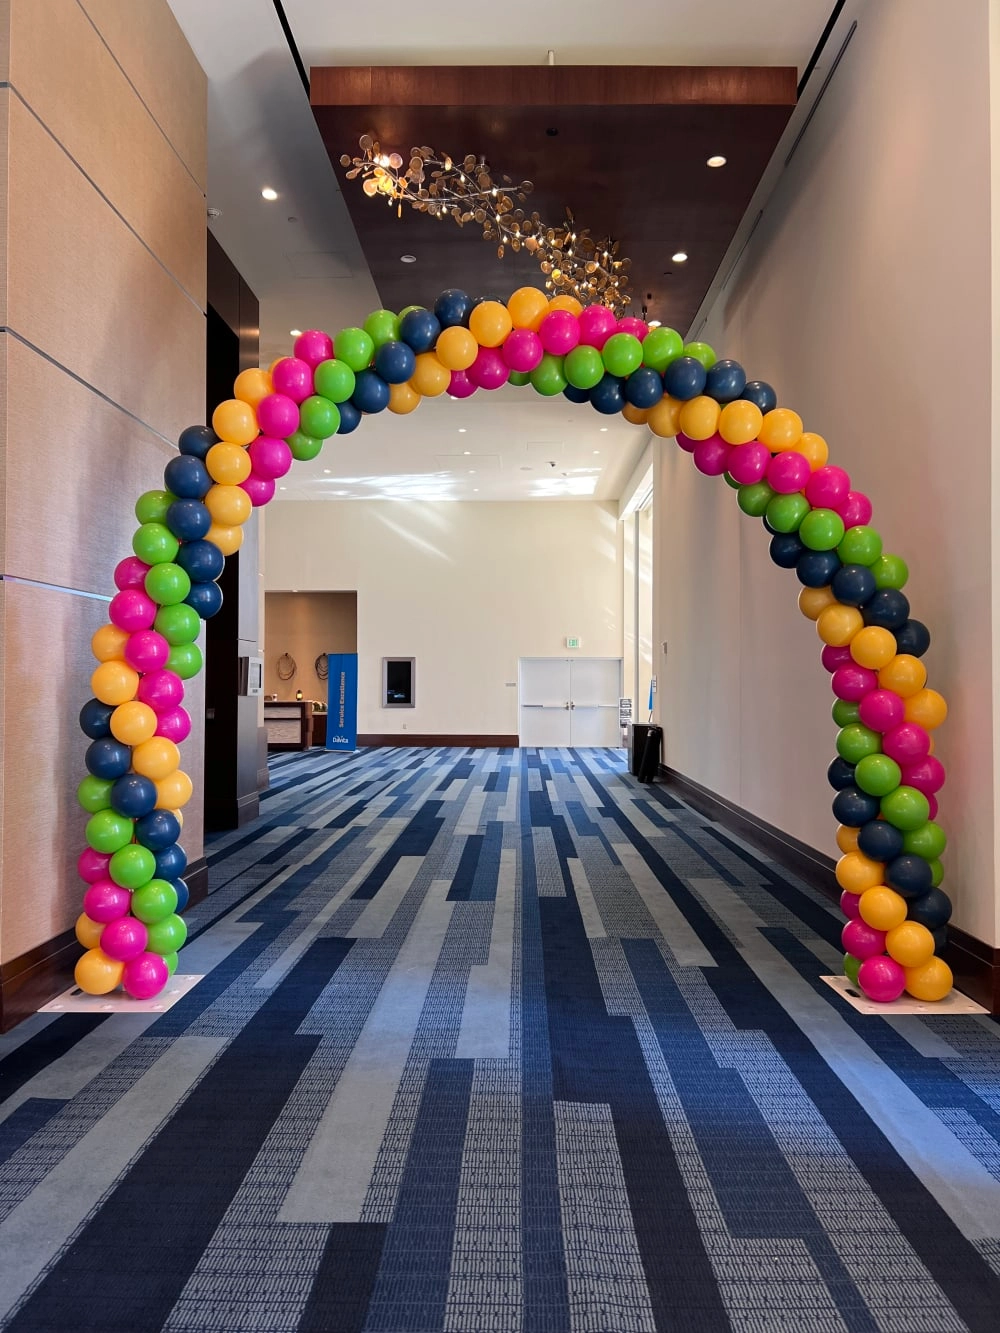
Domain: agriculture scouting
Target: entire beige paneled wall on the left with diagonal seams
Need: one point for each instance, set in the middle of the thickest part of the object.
(102, 365)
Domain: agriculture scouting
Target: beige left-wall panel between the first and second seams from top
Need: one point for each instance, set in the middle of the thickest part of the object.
(63, 70)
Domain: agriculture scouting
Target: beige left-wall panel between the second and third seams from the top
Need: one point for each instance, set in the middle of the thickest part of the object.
(86, 291)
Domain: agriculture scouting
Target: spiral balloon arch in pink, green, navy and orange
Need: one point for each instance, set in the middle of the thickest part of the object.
(885, 776)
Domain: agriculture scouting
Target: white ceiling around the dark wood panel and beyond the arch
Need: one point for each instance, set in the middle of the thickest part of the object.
(302, 257)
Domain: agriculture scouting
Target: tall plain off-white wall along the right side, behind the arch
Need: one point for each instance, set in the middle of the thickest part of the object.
(865, 298)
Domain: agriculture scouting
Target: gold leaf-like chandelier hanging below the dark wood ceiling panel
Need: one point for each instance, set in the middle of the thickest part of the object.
(470, 193)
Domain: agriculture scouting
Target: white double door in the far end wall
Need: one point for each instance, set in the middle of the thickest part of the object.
(570, 700)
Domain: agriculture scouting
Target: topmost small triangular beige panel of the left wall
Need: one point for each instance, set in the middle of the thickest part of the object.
(154, 53)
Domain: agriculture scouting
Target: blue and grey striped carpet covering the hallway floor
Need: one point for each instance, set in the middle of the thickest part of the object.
(502, 1042)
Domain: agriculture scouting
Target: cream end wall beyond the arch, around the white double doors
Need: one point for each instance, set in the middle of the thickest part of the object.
(465, 589)
